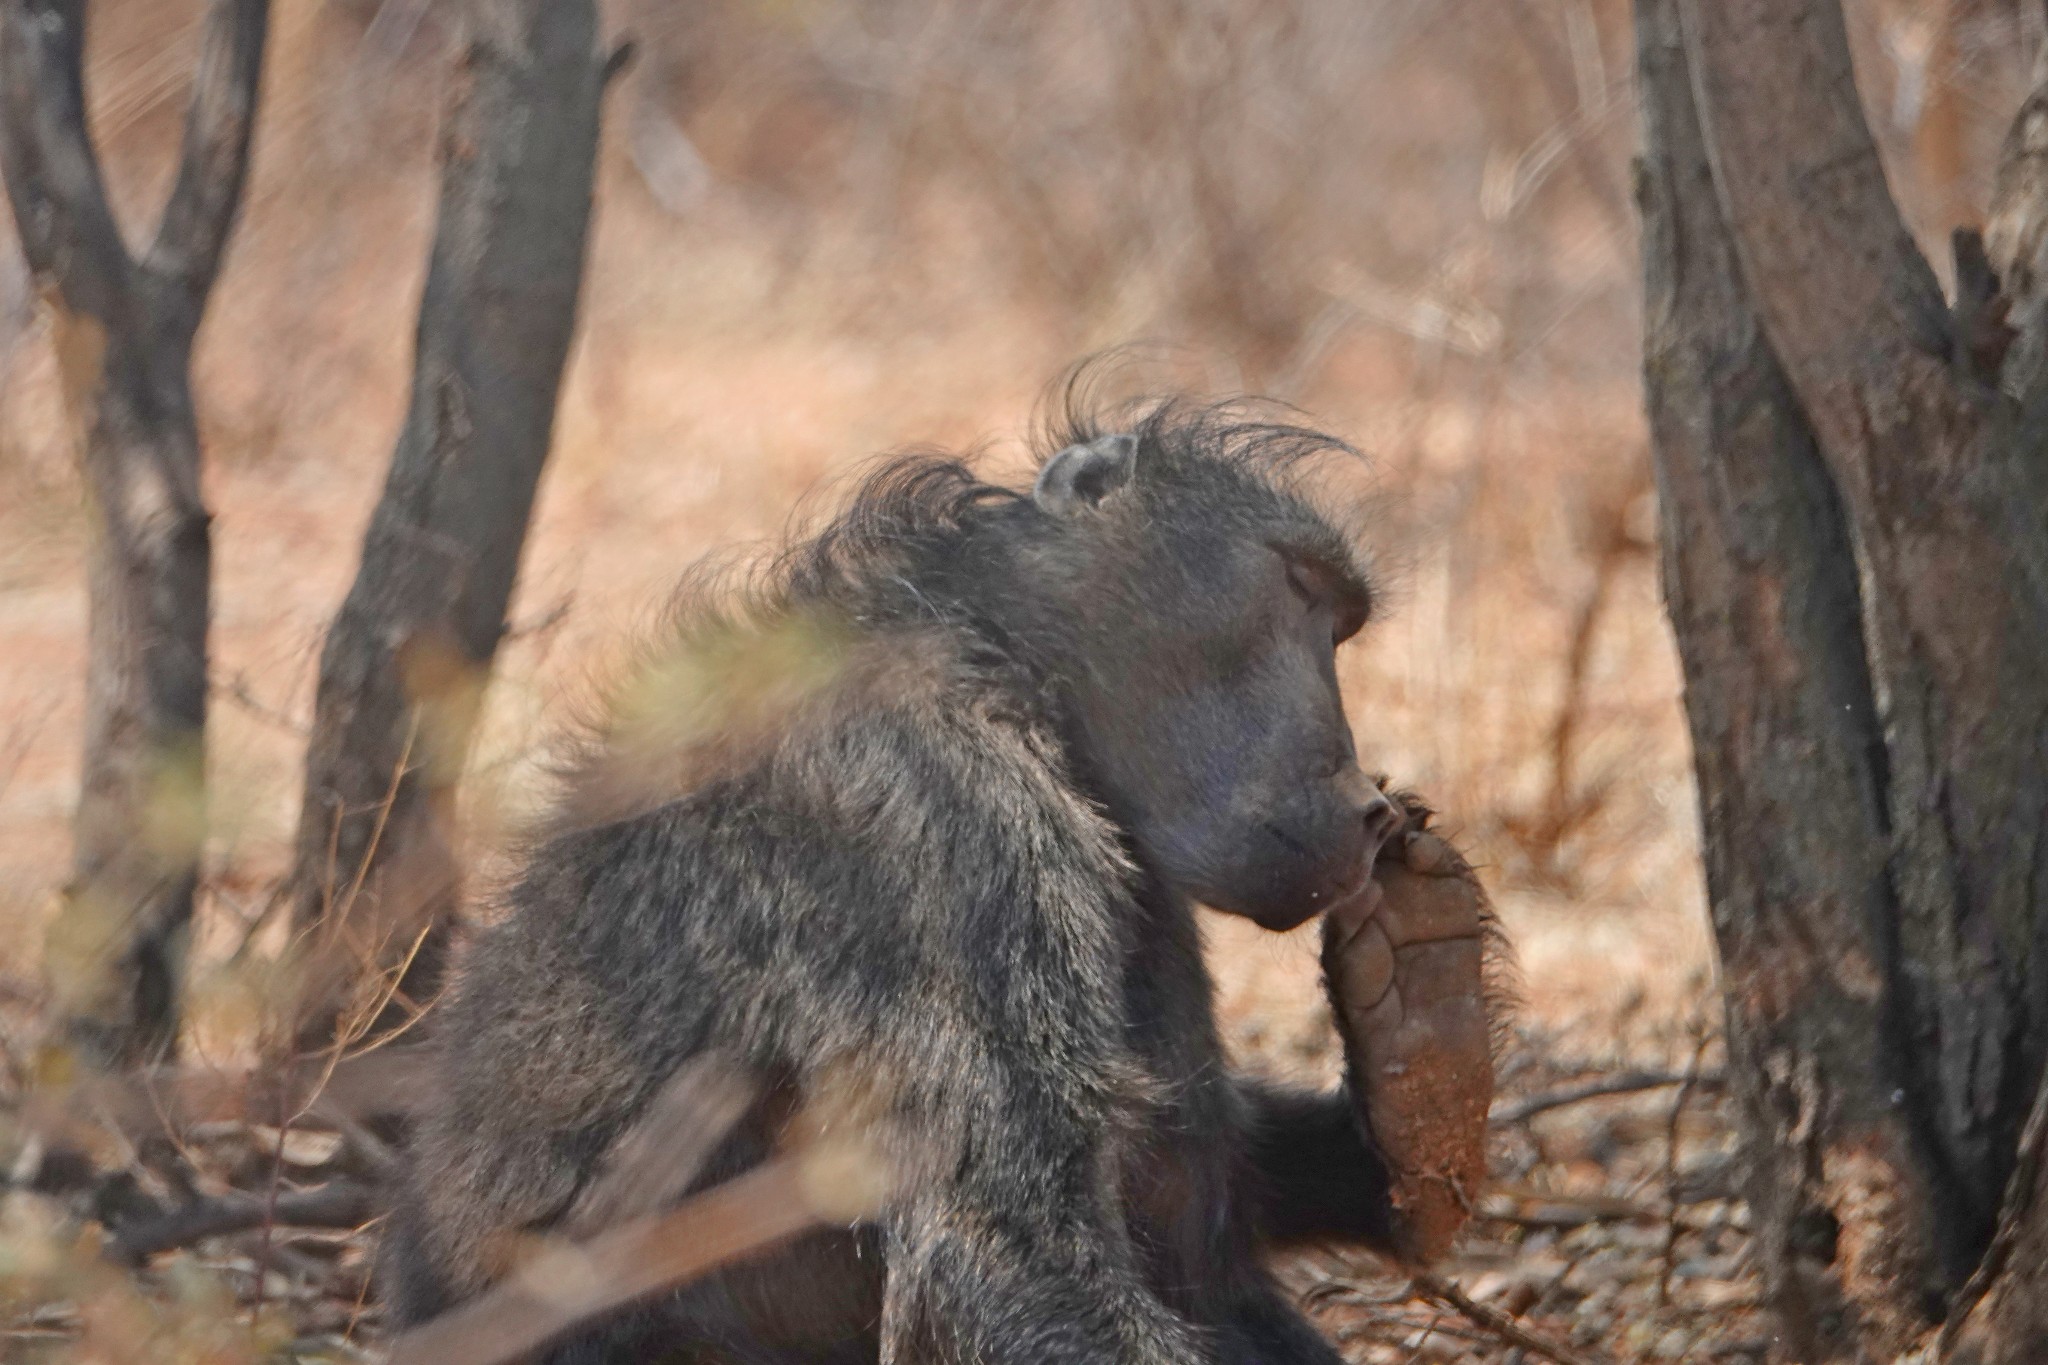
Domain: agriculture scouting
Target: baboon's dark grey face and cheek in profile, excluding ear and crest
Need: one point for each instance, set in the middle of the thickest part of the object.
(1211, 713)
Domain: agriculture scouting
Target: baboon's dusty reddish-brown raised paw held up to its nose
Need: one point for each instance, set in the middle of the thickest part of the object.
(1406, 973)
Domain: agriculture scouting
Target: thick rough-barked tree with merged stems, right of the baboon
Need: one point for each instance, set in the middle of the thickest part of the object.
(1857, 568)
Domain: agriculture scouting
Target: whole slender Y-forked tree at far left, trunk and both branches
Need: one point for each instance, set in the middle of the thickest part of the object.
(124, 331)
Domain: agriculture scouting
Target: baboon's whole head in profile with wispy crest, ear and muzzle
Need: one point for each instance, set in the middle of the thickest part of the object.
(1197, 597)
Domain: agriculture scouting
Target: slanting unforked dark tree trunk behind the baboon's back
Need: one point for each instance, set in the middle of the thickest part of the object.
(409, 656)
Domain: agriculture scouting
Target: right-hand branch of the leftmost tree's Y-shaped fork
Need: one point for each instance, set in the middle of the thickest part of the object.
(214, 159)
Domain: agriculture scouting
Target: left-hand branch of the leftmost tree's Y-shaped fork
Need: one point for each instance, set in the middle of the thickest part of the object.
(52, 173)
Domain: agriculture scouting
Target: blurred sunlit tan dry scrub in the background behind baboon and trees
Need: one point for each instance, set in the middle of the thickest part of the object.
(826, 230)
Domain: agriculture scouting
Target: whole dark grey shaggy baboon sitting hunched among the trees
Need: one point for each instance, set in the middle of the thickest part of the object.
(921, 813)
